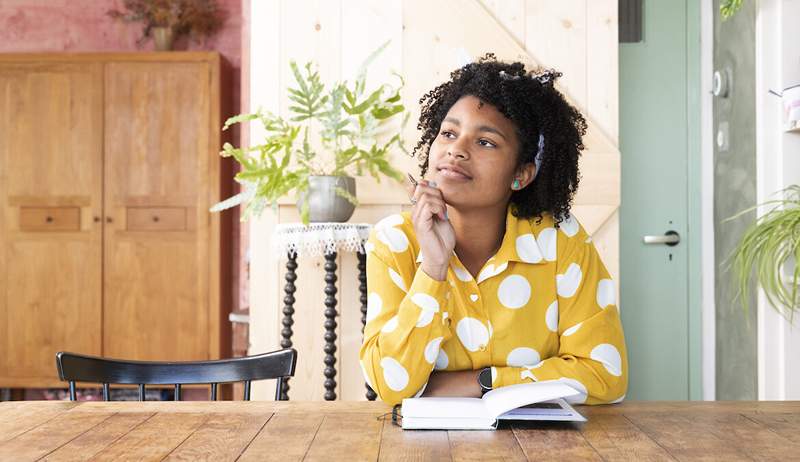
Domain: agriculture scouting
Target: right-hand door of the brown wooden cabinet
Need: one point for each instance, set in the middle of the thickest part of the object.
(156, 291)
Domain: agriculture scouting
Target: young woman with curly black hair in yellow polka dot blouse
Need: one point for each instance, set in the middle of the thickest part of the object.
(489, 281)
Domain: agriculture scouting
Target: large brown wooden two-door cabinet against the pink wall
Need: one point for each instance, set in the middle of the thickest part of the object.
(108, 165)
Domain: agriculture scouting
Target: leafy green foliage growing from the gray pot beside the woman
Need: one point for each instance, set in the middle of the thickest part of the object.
(348, 121)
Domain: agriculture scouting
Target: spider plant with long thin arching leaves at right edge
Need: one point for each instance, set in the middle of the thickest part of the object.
(767, 246)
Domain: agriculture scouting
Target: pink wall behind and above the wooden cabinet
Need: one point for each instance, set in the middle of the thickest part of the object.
(82, 25)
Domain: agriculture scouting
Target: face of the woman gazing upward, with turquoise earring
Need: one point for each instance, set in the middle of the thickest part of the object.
(473, 158)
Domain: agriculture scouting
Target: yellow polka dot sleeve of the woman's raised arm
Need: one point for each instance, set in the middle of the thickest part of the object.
(405, 328)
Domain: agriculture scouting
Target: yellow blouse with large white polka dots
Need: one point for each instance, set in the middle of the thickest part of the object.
(542, 308)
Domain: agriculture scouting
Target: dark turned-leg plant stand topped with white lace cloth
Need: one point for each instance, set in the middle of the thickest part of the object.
(327, 239)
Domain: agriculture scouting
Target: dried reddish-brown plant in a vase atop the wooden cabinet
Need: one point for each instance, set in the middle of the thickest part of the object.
(166, 20)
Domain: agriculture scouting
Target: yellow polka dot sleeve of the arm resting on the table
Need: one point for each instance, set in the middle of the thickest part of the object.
(592, 356)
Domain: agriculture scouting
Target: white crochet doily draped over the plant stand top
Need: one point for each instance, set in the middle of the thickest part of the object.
(319, 238)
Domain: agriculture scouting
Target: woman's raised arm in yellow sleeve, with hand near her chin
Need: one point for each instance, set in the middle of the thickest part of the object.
(406, 317)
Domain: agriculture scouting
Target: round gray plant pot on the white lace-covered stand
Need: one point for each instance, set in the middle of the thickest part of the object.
(325, 204)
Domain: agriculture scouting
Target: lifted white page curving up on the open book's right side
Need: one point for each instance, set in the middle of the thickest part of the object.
(504, 399)
